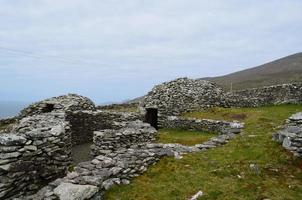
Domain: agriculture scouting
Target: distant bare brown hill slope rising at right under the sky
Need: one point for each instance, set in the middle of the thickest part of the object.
(284, 70)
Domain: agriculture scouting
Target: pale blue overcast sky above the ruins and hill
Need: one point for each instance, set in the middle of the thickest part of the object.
(114, 50)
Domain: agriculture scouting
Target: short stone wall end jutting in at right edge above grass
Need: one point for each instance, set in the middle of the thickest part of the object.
(291, 135)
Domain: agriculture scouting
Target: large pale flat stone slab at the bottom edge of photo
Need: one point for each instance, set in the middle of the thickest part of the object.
(69, 191)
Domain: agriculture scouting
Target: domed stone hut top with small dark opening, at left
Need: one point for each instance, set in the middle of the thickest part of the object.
(69, 102)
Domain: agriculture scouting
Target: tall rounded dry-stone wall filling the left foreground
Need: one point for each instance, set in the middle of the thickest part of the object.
(38, 152)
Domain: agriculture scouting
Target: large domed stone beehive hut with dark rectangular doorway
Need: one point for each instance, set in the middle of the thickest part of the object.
(179, 96)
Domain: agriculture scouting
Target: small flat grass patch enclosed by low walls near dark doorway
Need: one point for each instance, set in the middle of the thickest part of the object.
(183, 137)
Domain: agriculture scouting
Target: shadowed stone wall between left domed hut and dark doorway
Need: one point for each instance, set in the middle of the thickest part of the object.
(84, 123)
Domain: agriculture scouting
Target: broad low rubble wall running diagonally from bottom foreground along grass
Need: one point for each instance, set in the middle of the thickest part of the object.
(91, 179)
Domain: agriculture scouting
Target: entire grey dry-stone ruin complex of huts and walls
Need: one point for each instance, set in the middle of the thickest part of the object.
(35, 152)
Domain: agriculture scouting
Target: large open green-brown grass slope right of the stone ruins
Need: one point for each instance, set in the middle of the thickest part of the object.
(225, 172)
